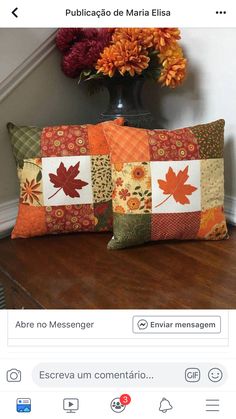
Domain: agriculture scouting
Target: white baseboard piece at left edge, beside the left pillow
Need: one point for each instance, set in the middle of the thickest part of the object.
(8, 213)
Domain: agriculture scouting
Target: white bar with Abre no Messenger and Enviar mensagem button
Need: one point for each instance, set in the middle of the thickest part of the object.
(116, 328)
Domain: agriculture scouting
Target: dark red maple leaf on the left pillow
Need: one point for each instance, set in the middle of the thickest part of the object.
(65, 179)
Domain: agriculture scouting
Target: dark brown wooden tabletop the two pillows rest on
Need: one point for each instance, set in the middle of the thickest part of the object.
(77, 271)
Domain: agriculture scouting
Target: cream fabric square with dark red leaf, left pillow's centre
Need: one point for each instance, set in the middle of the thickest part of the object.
(56, 195)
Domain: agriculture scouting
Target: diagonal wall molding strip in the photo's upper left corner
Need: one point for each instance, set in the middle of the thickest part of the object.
(27, 66)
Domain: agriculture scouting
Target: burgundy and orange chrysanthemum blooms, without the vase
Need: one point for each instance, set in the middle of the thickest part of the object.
(95, 54)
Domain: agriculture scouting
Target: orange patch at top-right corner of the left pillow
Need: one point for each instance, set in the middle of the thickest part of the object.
(97, 140)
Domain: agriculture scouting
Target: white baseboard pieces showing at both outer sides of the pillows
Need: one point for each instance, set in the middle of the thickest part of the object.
(8, 213)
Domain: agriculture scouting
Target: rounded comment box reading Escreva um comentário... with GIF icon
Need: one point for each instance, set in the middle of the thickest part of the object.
(68, 374)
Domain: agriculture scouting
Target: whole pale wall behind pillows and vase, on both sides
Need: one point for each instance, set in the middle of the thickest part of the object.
(46, 96)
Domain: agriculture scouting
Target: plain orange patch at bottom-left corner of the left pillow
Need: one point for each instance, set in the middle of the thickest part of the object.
(30, 222)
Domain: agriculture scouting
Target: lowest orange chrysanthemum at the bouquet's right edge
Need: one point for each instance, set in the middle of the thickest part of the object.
(174, 72)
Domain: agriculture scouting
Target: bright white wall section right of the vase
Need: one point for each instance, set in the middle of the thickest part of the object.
(209, 92)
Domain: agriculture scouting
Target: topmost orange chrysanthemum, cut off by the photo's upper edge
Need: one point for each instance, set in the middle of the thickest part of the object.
(144, 36)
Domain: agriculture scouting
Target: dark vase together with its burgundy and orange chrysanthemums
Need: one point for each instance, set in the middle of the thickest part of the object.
(121, 59)
